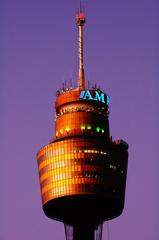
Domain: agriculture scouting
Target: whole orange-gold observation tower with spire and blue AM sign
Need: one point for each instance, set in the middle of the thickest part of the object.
(82, 171)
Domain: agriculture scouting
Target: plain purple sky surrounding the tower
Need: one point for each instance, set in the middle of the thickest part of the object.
(38, 51)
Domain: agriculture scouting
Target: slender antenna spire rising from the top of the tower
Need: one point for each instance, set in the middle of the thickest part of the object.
(80, 20)
